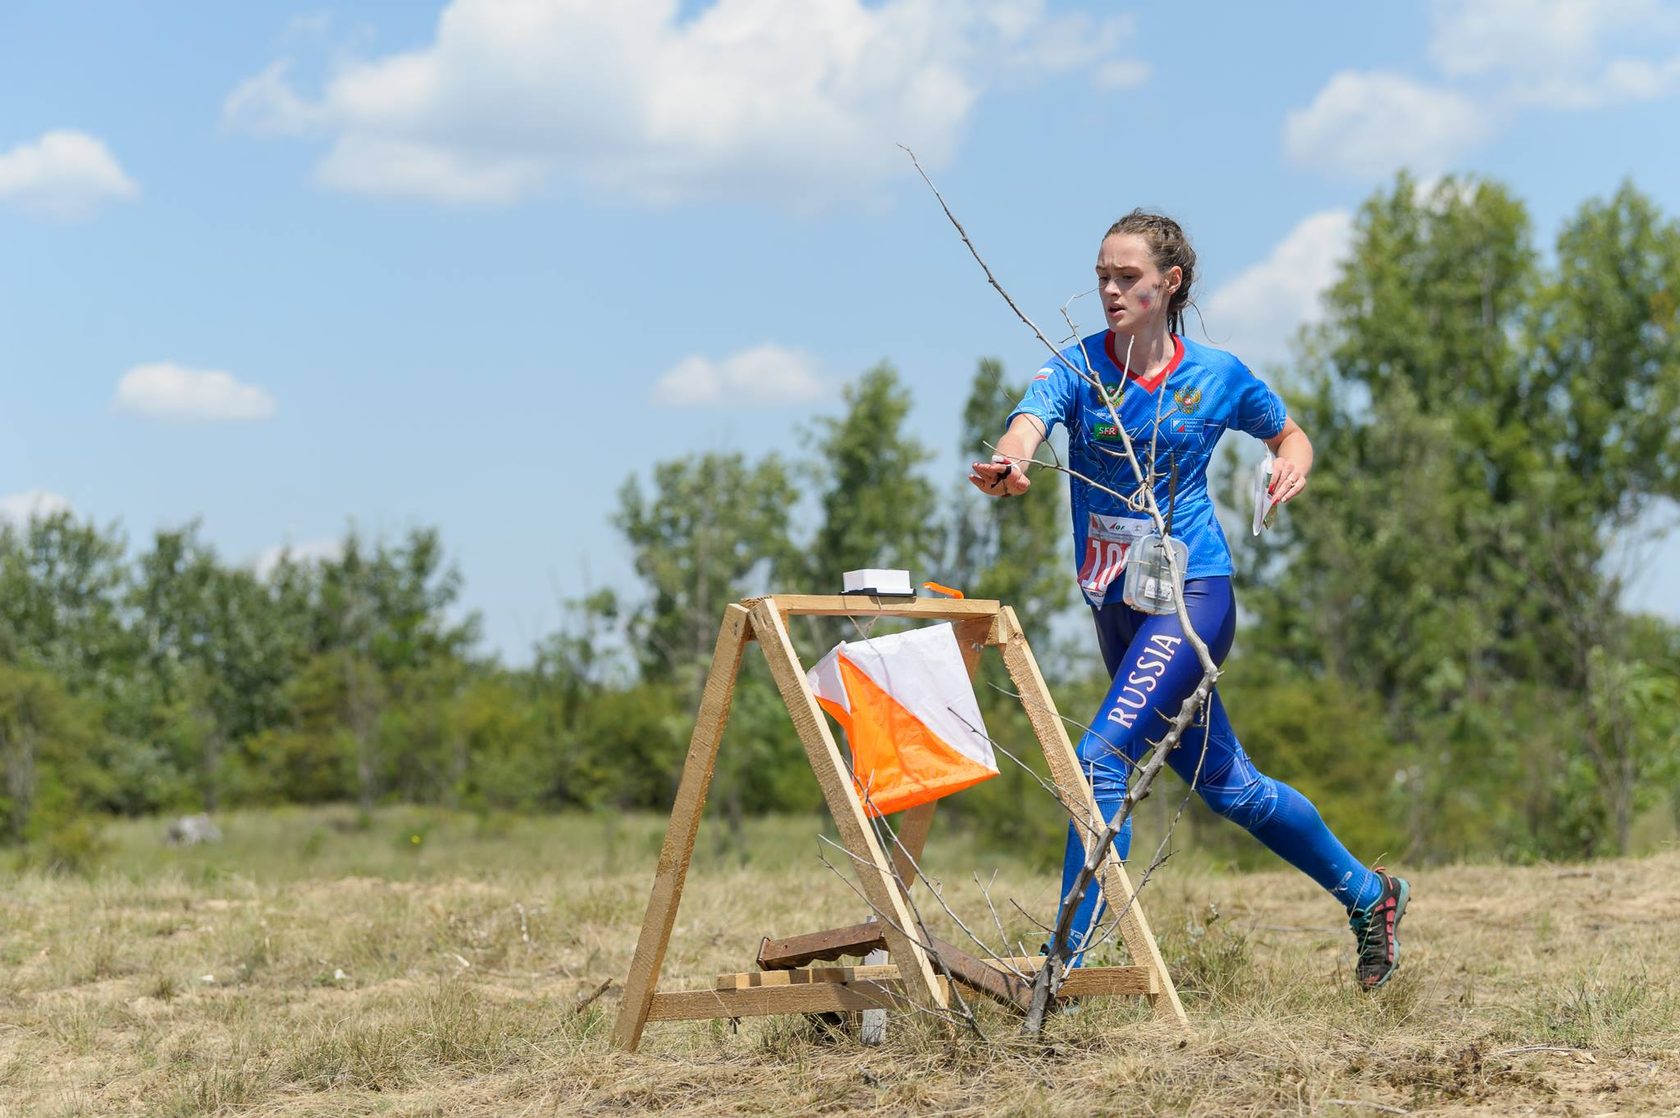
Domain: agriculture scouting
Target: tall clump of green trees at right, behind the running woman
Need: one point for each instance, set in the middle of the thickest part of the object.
(1486, 428)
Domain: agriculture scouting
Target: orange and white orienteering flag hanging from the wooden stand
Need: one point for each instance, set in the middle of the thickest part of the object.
(910, 715)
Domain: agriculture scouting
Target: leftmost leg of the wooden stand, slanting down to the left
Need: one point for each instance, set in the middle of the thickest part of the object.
(685, 826)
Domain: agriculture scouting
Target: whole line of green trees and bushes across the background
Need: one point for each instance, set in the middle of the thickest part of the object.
(1436, 645)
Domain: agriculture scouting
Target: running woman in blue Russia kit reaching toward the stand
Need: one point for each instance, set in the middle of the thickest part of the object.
(1177, 398)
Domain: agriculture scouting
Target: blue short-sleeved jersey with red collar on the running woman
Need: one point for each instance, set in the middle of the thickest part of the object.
(1202, 394)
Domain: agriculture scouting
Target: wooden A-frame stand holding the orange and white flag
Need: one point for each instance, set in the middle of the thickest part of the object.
(787, 983)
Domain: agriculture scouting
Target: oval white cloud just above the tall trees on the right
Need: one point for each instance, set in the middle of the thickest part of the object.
(1372, 124)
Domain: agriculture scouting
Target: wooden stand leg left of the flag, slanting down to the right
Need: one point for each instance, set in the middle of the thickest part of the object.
(858, 836)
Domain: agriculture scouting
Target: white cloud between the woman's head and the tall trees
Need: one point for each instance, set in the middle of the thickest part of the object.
(1259, 312)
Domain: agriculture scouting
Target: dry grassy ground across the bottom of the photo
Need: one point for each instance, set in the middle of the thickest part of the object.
(428, 964)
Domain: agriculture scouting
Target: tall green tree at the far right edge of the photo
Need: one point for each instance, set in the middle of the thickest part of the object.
(1599, 404)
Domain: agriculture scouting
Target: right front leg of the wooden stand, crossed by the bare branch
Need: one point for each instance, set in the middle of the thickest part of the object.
(1066, 774)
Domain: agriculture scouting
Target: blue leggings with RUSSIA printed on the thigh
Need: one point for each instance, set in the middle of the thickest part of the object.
(1155, 668)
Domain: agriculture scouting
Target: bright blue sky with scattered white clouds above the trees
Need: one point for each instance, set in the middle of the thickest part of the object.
(291, 266)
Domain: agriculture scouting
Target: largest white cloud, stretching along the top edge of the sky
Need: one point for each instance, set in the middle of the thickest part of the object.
(750, 100)
